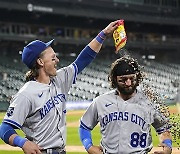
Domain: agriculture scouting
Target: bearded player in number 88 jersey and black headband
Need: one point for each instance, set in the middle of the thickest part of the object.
(125, 115)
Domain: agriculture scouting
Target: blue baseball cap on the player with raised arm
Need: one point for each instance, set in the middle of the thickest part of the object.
(32, 51)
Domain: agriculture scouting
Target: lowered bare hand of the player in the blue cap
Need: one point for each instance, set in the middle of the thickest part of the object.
(31, 148)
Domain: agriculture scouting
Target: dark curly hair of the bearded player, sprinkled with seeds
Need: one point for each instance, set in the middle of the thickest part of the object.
(132, 63)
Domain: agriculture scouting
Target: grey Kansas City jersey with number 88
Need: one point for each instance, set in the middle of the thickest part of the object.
(125, 125)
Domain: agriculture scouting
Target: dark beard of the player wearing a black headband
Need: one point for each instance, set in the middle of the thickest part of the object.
(127, 90)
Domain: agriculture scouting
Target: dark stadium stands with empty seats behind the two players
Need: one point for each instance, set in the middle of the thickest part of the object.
(152, 27)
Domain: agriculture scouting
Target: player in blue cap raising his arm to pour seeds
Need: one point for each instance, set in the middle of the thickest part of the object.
(39, 107)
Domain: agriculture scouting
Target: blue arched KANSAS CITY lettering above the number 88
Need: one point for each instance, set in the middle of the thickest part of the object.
(123, 116)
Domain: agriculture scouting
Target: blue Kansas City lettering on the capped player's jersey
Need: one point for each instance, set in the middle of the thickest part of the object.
(51, 104)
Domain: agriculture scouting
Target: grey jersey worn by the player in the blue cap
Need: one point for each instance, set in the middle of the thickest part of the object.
(39, 109)
